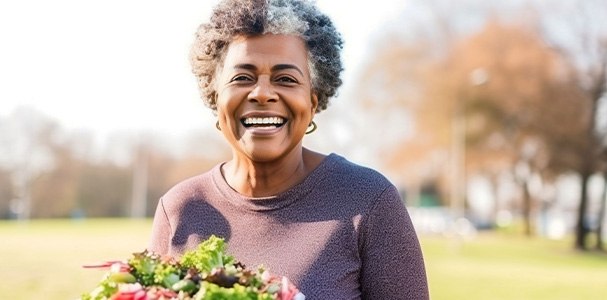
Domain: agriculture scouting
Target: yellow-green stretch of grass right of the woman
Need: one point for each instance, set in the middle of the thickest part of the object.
(499, 266)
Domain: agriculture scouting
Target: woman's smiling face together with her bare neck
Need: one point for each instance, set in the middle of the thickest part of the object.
(266, 78)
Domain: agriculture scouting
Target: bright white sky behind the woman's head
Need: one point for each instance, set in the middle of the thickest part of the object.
(114, 65)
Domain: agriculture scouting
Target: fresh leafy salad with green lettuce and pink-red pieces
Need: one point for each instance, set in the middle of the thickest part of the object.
(206, 272)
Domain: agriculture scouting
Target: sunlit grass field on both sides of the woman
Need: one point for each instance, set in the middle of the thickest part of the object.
(42, 260)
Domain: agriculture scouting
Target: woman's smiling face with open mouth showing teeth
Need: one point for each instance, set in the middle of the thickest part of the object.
(264, 96)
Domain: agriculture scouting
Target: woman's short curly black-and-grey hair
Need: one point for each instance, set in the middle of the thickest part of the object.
(233, 18)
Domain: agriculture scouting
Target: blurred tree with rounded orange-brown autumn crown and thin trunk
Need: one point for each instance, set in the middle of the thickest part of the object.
(512, 89)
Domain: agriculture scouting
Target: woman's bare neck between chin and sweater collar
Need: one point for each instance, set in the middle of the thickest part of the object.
(262, 179)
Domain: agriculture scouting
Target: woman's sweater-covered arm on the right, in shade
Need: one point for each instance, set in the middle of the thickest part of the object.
(392, 261)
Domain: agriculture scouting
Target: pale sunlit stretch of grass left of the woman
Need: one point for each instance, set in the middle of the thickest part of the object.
(43, 259)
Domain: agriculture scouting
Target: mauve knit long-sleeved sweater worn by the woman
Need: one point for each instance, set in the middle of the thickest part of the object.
(342, 233)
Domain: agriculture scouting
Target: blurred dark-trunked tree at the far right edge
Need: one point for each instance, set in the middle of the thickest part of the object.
(586, 47)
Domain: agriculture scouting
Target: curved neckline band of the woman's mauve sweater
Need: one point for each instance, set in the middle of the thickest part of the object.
(277, 201)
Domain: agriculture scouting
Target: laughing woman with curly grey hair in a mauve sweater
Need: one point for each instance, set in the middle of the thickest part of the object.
(336, 229)
